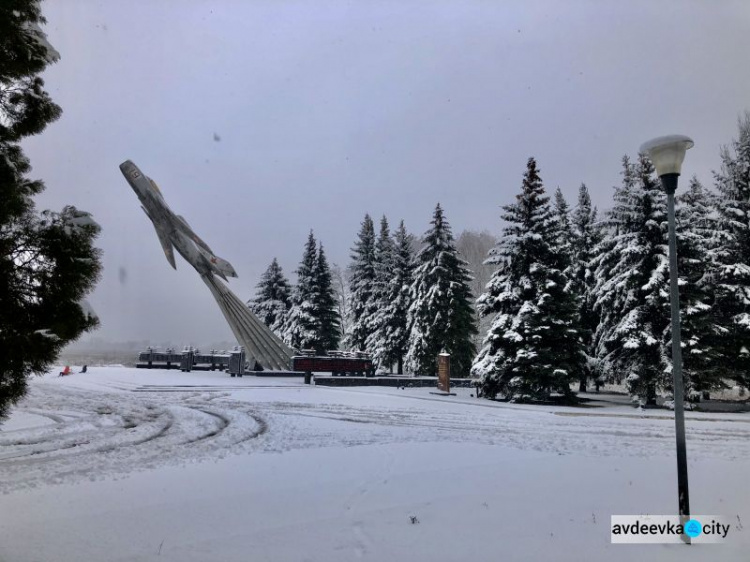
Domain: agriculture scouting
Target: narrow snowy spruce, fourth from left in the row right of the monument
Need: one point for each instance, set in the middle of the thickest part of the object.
(361, 279)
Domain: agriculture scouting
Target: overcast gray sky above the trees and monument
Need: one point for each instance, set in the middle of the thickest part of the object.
(328, 110)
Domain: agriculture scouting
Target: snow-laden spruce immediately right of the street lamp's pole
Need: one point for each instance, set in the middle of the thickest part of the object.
(703, 362)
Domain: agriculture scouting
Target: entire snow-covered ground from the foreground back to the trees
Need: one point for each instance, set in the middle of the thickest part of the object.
(123, 464)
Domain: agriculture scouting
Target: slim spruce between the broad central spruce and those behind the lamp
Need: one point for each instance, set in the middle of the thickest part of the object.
(586, 238)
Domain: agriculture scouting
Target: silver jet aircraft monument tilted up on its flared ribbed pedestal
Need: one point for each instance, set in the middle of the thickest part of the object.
(173, 231)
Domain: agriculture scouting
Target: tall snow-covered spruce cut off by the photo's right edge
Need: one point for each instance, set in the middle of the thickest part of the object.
(731, 257)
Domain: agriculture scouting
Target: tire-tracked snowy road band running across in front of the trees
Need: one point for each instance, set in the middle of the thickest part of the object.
(142, 426)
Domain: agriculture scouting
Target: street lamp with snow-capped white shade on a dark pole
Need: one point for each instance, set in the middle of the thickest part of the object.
(667, 154)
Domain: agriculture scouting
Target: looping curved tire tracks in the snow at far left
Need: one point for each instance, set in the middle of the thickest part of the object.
(110, 435)
